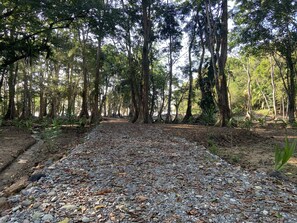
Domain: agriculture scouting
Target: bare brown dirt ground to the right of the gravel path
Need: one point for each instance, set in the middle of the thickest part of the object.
(250, 149)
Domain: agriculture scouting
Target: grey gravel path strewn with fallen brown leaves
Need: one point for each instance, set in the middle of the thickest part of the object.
(135, 173)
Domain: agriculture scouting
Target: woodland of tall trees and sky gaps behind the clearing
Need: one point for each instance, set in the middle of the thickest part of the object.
(189, 61)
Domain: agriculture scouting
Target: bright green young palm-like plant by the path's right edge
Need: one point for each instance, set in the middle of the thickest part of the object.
(283, 154)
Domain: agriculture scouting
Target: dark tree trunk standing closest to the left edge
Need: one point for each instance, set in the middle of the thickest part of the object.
(11, 111)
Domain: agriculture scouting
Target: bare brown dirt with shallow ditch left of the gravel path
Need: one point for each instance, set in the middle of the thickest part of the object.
(18, 158)
